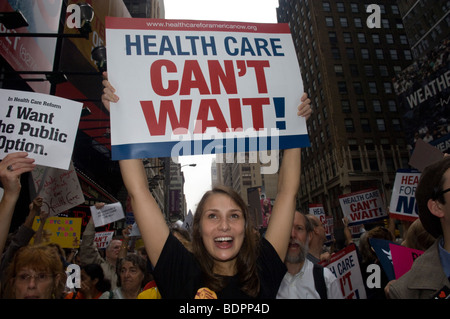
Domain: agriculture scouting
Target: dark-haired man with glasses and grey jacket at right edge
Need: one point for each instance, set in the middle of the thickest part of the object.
(430, 273)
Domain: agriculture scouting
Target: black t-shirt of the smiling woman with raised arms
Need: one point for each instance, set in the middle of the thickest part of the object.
(178, 274)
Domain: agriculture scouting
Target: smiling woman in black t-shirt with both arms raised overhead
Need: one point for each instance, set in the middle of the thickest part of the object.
(228, 259)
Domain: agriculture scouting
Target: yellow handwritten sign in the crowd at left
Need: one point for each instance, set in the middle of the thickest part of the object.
(61, 230)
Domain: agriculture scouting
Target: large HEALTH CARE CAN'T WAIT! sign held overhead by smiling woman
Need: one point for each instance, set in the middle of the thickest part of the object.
(201, 87)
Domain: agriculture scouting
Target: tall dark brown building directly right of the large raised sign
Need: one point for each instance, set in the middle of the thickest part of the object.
(357, 140)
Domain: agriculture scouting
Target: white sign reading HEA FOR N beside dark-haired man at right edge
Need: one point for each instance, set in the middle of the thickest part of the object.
(403, 200)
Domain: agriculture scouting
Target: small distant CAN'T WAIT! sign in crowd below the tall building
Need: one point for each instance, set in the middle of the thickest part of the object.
(363, 206)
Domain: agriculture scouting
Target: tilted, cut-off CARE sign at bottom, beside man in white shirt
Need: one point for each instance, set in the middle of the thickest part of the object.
(345, 266)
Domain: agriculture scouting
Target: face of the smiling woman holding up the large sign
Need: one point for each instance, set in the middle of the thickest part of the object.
(222, 229)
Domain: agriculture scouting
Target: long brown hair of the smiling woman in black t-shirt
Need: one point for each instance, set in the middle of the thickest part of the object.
(246, 266)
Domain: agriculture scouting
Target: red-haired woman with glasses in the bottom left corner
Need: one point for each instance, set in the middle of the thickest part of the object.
(36, 272)
